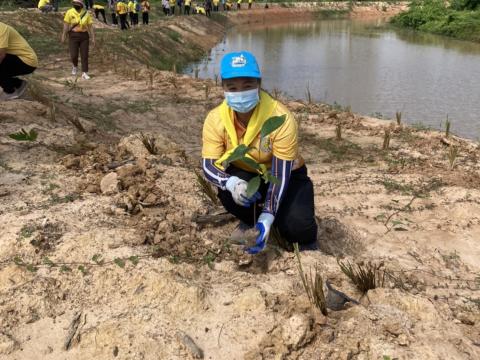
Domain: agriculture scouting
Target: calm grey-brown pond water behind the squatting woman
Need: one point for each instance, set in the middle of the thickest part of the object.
(373, 69)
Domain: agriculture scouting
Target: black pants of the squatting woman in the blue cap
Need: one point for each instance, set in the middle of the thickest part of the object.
(295, 218)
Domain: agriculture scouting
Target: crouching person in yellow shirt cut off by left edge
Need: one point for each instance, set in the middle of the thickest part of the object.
(16, 58)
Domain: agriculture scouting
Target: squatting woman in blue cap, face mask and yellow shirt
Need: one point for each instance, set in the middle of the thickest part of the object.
(288, 203)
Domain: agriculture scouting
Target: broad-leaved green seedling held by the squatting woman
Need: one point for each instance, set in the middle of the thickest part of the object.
(240, 153)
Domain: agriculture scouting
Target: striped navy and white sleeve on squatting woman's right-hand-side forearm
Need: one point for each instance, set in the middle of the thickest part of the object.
(282, 170)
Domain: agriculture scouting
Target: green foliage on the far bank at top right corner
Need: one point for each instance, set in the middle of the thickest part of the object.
(436, 17)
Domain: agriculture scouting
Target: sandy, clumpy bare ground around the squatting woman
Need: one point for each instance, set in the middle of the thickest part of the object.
(102, 254)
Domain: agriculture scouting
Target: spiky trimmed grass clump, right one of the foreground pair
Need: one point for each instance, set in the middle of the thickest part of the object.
(365, 277)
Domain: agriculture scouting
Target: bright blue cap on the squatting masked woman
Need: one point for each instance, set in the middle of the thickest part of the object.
(239, 64)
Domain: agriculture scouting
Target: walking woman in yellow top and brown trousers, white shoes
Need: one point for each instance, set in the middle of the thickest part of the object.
(78, 26)
